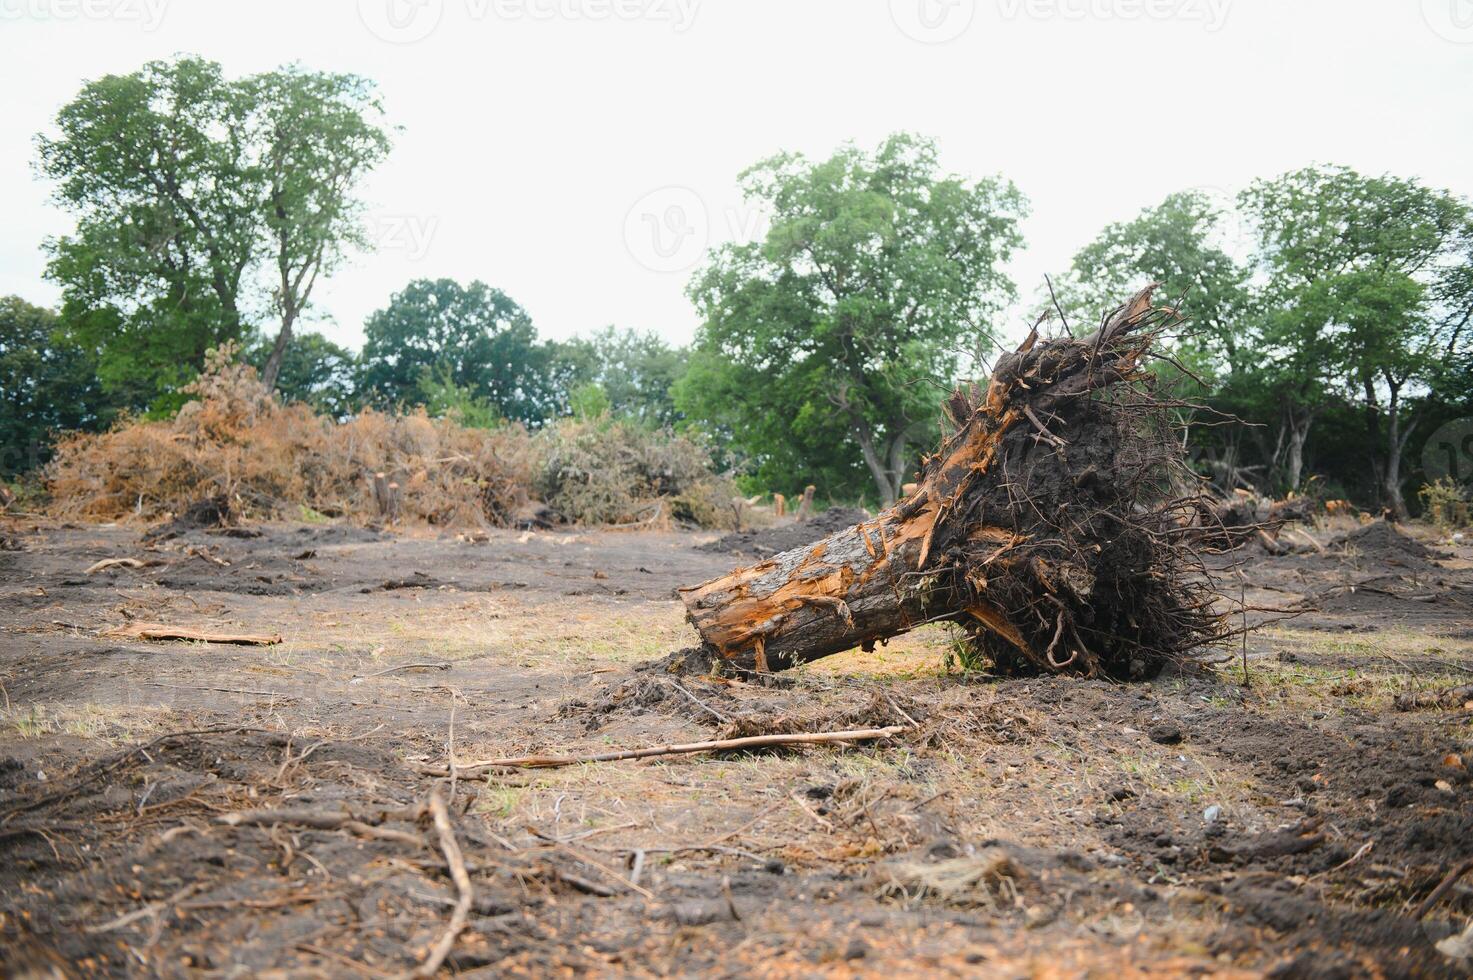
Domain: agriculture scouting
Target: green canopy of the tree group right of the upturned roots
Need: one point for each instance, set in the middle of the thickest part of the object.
(1353, 303)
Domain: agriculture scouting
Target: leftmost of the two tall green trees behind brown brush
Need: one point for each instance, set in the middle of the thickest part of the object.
(166, 226)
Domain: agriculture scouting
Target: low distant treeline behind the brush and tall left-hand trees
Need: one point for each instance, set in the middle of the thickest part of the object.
(465, 353)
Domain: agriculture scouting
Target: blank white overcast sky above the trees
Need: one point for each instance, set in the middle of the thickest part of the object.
(547, 142)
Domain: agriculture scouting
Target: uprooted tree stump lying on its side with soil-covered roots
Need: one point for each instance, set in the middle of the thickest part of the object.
(1055, 524)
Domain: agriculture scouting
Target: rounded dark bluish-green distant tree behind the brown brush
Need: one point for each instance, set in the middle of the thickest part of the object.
(474, 337)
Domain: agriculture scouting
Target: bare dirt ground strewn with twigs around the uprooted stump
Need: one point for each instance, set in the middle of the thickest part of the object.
(1200, 825)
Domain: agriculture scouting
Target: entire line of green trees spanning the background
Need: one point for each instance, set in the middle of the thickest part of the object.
(1326, 340)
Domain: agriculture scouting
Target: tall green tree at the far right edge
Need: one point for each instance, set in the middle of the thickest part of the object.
(1368, 297)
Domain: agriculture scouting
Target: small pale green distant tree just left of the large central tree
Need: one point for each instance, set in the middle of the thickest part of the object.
(637, 372)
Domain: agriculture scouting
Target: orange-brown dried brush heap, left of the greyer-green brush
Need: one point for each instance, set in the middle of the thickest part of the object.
(236, 441)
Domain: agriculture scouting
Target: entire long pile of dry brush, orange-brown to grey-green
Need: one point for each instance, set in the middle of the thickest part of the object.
(236, 443)
